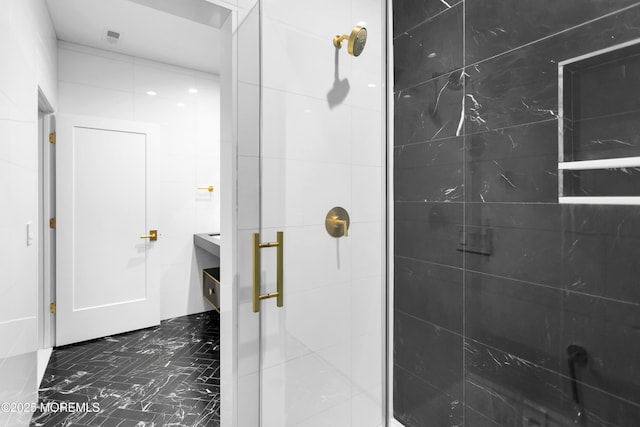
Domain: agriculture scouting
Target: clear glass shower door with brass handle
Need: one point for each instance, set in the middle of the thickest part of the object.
(321, 146)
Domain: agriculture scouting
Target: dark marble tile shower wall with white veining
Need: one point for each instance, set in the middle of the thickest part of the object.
(494, 280)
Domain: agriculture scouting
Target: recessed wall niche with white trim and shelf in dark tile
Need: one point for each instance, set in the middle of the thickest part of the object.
(599, 127)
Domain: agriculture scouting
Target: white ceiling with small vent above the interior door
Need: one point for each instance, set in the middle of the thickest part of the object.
(184, 33)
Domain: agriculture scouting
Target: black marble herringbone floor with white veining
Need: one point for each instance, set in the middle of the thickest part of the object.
(163, 376)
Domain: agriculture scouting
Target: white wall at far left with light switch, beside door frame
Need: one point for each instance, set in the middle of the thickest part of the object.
(28, 49)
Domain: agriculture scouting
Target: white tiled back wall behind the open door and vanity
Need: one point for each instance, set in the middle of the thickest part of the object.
(99, 83)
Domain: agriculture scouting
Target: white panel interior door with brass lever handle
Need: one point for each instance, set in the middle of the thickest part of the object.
(102, 279)
